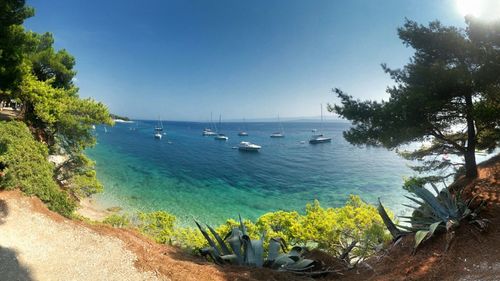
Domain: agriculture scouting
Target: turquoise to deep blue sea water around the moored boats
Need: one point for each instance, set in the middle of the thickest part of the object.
(198, 177)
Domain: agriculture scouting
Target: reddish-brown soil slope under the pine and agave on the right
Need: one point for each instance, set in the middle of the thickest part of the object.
(473, 255)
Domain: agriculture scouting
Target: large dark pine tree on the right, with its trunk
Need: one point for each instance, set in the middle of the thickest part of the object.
(448, 95)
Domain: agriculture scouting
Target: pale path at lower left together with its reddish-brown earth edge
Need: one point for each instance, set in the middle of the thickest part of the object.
(37, 244)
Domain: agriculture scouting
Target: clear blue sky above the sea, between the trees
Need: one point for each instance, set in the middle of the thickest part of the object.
(252, 59)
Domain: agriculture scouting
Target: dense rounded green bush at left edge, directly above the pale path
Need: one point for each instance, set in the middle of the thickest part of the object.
(25, 166)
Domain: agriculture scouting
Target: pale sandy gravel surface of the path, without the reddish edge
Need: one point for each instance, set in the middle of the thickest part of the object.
(35, 246)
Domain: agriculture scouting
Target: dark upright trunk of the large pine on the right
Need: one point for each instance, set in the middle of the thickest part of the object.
(470, 153)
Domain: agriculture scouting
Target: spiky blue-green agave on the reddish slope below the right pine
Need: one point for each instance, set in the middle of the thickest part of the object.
(443, 211)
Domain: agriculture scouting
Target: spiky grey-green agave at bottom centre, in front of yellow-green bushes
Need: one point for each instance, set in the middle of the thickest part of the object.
(238, 249)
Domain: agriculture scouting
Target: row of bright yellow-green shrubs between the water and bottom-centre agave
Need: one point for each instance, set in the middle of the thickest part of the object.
(330, 229)
